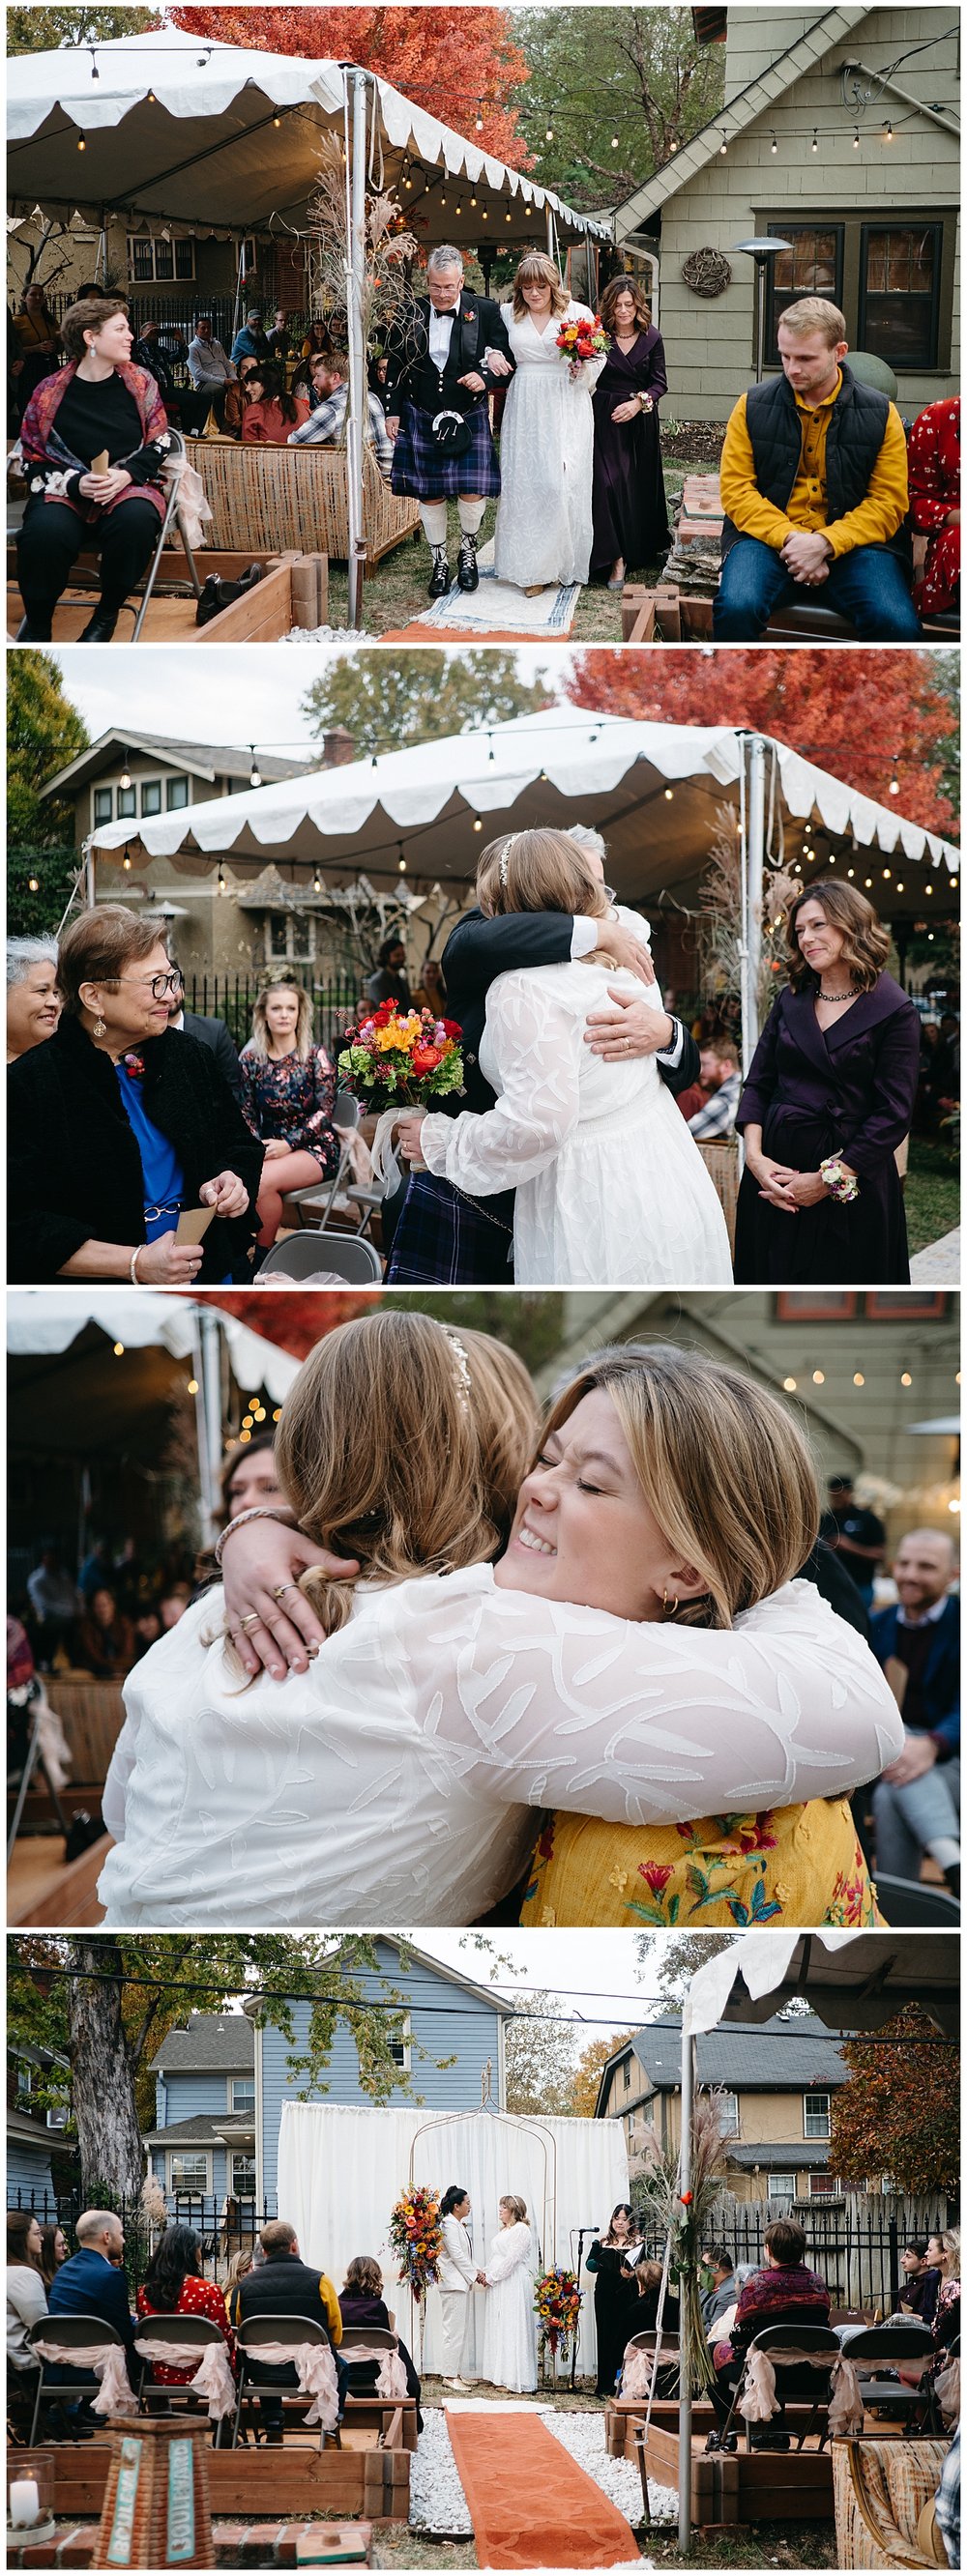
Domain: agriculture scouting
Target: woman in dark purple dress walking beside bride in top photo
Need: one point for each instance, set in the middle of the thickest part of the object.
(630, 519)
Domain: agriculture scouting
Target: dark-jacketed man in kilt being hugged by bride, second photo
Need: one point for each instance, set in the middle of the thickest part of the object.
(447, 1240)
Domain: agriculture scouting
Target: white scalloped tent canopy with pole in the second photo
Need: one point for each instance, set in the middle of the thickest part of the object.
(654, 790)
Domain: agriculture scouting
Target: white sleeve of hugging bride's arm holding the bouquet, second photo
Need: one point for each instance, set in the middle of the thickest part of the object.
(538, 1045)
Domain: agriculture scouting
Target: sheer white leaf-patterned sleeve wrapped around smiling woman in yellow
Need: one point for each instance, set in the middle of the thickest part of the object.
(548, 1704)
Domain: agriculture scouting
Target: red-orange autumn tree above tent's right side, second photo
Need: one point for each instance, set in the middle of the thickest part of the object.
(863, 717)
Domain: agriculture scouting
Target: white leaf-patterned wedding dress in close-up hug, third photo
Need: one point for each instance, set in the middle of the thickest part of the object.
(393, 1781)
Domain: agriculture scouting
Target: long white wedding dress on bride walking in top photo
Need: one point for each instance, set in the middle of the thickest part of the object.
(545, 457)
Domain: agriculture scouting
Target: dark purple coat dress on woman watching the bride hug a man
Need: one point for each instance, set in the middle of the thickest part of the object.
(814, 1094)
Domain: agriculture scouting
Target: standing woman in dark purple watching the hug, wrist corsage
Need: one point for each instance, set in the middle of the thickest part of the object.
(826, 1104)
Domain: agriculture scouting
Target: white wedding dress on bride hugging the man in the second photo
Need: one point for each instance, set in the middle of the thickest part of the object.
(610, 1184)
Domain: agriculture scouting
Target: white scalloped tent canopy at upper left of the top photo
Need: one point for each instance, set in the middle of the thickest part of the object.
(213, 135)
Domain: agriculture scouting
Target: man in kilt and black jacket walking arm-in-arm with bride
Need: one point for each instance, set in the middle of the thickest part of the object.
(447, 357)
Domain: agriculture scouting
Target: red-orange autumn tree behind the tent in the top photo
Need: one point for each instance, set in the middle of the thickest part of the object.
(447, 61)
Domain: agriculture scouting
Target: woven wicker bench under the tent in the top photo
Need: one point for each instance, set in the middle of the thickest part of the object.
(295, 501)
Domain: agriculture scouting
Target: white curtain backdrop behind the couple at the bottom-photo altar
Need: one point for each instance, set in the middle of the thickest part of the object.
(344, 2170)
